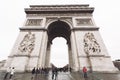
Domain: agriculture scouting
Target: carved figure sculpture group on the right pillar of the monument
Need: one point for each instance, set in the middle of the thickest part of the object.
(91, 45)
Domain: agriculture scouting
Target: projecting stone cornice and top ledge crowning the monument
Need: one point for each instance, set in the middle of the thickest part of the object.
(37, 9)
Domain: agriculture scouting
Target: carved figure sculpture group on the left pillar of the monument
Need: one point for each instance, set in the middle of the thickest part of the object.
(28, 43)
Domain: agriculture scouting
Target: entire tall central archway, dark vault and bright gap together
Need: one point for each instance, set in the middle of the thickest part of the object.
(59, 42)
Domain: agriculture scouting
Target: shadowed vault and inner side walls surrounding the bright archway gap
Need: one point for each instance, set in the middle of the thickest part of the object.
(58, 29)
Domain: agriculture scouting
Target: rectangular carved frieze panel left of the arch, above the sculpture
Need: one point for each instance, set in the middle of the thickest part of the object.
(34, 22)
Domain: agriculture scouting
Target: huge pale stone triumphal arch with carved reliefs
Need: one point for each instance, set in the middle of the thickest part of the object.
(75, 23)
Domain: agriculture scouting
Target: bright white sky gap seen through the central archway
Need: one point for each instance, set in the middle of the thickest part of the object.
(59, 52)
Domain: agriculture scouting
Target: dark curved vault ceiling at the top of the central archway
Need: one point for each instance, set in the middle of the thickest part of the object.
(59, 29)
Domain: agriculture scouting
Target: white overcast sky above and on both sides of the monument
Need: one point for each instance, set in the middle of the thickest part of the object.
(106, 16)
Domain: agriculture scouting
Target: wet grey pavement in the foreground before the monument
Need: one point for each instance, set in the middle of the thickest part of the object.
(63, 76)
